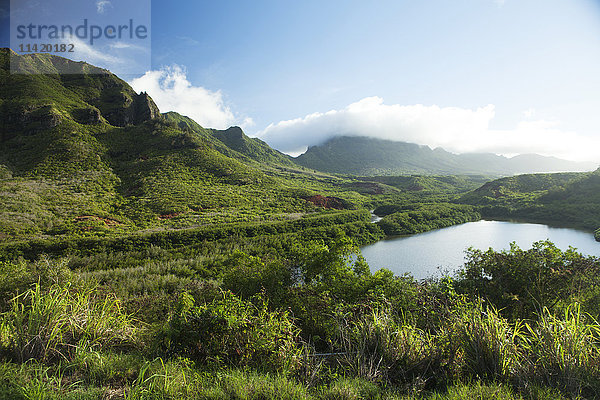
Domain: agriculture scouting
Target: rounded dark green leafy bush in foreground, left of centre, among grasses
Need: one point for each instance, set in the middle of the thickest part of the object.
(232, 331)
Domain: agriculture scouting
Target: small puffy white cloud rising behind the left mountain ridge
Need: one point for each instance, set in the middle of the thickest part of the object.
(171, 90)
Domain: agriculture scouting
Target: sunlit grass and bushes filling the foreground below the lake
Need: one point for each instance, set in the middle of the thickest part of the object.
(308, 322)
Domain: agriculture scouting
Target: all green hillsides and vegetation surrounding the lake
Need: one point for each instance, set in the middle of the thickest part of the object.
(143, 256)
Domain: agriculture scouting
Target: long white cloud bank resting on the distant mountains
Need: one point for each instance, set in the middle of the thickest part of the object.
(455, 129)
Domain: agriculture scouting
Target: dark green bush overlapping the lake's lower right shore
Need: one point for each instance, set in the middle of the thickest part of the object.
(523, 282)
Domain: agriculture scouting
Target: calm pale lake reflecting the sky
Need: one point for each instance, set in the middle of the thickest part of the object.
(430, 253)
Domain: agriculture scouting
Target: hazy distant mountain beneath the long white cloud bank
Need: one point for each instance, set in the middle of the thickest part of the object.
(368, 156)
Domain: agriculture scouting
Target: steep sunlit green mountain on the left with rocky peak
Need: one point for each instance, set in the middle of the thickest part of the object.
(84, 154)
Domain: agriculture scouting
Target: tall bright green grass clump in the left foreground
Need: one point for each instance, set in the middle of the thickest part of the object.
(51, 324)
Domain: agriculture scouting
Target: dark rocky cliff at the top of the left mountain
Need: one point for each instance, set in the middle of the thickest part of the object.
(43, 99)
